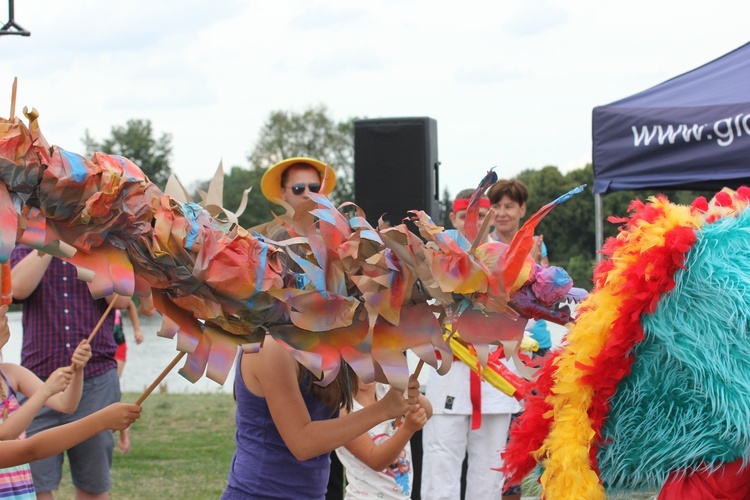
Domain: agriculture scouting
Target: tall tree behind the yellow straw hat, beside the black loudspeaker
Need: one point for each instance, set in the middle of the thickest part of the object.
(313, 134)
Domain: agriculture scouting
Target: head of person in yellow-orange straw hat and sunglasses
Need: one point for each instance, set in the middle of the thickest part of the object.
(290, 180)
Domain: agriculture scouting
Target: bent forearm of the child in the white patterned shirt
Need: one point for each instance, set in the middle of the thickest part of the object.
(379, 456)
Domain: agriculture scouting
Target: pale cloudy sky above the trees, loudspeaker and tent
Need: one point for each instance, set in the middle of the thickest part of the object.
(510, 83)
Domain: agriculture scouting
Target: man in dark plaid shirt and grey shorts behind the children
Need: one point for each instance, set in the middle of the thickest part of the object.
(59, 313)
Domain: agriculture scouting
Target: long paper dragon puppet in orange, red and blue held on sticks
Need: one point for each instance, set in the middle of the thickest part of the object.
(335, 287)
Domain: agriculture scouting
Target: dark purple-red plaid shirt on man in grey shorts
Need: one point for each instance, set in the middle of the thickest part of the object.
(57, 316)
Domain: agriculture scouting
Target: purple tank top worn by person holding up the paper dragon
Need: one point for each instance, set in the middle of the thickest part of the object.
(262, 465)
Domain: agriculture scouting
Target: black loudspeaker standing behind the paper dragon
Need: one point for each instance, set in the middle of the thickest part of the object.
(396, 168)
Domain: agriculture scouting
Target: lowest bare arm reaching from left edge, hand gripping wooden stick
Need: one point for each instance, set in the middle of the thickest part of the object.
(117, 416)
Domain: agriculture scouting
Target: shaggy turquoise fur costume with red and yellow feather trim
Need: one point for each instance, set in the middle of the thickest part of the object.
(650, 390)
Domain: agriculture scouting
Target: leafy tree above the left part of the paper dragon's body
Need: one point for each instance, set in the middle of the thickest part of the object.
(136, 142)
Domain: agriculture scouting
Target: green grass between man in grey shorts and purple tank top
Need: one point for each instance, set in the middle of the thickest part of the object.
(181, 448)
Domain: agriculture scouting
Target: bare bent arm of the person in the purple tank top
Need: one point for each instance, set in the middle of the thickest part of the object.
(272, 373)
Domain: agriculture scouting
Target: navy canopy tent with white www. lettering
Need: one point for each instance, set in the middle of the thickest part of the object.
(690, 132)
